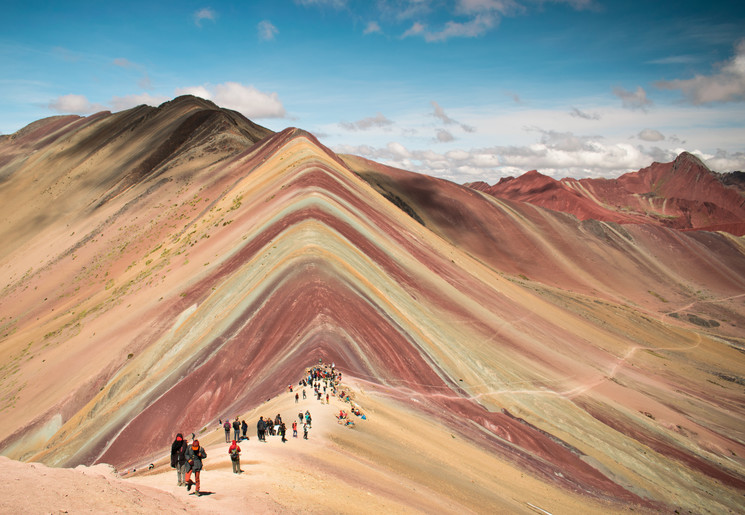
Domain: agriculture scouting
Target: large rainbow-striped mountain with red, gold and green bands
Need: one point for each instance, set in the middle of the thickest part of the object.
(167, 267)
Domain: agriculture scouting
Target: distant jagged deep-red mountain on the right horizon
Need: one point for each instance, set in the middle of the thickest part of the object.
(683, 194)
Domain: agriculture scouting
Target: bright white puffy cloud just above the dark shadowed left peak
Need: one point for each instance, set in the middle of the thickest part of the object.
(245, 99)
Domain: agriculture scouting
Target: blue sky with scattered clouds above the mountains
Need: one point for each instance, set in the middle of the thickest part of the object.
(464, 90)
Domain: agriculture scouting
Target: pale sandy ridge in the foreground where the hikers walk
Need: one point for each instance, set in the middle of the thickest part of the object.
(396, 461)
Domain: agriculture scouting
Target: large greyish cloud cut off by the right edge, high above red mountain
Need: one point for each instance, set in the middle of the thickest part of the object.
(726, 85)
